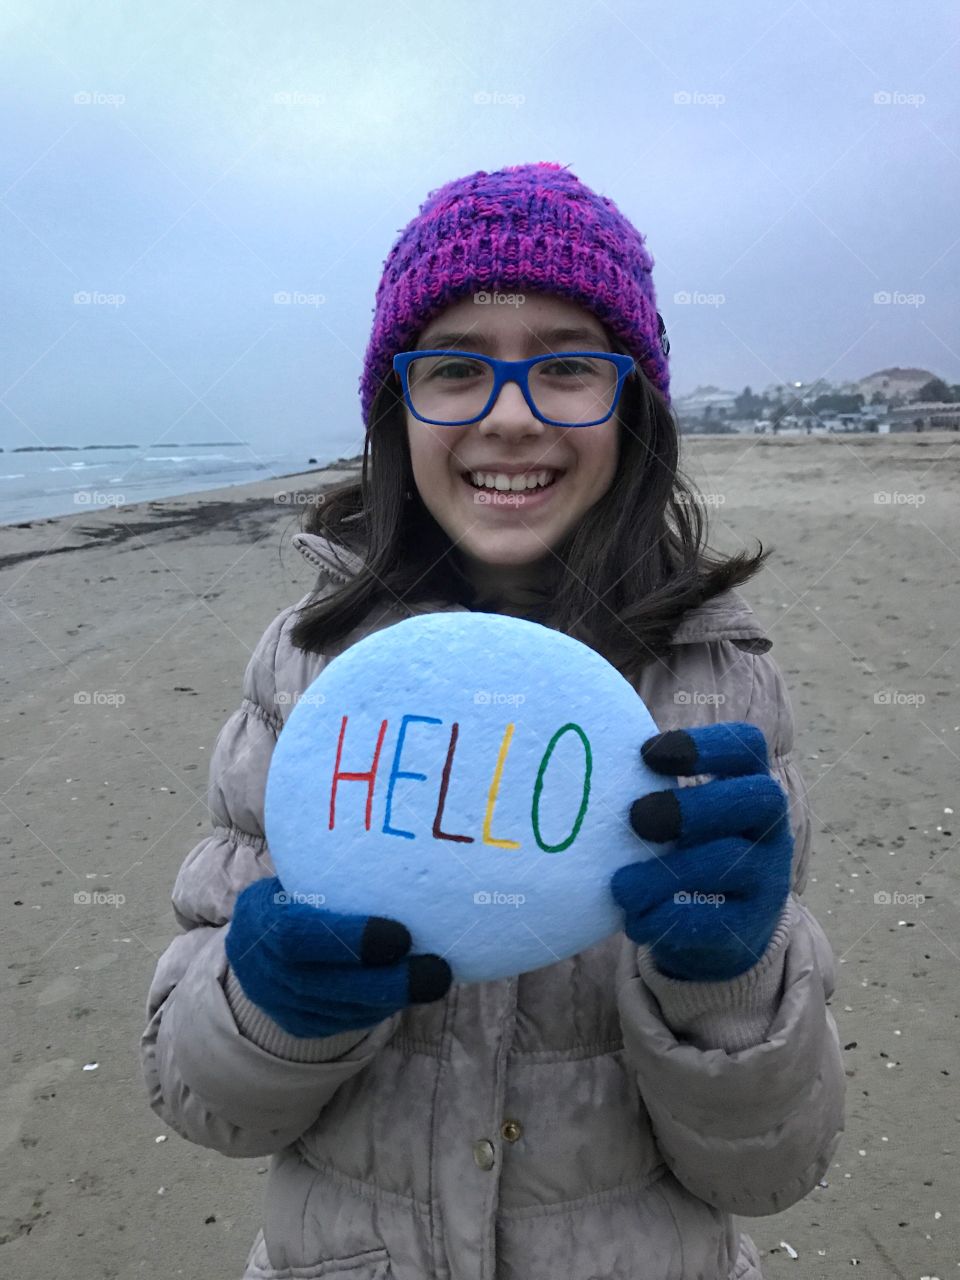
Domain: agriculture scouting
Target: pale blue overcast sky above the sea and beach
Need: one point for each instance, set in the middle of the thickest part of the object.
(196, 159)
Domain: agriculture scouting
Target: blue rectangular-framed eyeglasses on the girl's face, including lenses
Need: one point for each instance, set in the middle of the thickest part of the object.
(569, 388)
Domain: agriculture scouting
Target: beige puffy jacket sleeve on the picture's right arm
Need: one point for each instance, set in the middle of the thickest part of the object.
(744, 1080)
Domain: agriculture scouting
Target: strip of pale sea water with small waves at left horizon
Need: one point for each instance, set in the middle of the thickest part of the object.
(75, 483)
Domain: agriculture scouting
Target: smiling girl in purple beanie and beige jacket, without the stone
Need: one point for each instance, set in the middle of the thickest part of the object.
(604, 1117)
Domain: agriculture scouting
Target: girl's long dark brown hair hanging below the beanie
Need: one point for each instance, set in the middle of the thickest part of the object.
(623, 579)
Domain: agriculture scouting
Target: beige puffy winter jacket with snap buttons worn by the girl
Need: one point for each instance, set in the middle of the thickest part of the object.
(593, 1121)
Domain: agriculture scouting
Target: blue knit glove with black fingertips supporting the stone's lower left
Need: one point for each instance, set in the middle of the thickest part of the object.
(318, 973)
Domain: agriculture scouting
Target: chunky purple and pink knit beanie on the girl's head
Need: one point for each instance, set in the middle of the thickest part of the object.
(527, 227)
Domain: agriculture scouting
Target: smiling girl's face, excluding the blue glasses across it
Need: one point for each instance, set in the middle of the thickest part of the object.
(499, 527)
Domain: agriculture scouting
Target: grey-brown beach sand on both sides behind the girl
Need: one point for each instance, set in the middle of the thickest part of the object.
(162, 604)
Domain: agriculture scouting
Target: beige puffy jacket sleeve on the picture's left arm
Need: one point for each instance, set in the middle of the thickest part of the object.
(218, 1071)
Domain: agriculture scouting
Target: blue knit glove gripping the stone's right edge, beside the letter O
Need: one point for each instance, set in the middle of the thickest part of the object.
(708, 909)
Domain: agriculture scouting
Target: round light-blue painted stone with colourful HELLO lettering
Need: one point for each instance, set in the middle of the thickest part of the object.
(472, 776)
